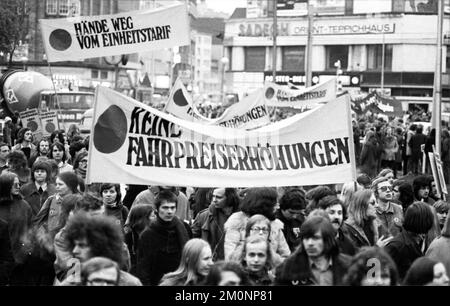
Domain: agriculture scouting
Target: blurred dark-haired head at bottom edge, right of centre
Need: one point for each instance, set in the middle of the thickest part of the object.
(361, 271)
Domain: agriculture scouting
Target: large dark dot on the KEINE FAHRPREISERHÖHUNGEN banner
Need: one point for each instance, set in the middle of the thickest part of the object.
(110, 131)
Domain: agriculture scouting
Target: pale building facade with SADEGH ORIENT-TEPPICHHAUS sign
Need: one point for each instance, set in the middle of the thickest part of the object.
(386, 45)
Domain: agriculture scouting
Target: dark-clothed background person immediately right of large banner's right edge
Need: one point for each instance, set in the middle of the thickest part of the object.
(370, 154)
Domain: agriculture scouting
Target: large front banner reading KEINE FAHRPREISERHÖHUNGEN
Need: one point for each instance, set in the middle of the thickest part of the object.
(133, 143)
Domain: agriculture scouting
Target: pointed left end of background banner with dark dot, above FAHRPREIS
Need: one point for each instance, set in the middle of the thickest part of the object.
(180, 104)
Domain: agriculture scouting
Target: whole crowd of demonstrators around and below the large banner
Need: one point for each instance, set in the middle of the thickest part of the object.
(57, 230)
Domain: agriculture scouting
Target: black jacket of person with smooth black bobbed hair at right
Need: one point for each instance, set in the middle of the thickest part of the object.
(404, 250)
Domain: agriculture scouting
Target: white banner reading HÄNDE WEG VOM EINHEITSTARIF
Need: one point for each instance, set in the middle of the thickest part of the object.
(78, 38)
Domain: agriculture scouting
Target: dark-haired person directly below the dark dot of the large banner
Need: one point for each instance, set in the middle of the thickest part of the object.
(111, 197)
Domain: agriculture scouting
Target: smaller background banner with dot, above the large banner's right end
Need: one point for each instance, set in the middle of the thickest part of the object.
(310, 97)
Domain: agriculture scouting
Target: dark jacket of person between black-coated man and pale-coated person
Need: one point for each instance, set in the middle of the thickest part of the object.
(209, 225)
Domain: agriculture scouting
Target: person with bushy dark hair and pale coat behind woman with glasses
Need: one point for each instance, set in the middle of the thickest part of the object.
(256, 201)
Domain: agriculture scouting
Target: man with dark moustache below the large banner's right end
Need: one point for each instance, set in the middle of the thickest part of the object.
(337, 213)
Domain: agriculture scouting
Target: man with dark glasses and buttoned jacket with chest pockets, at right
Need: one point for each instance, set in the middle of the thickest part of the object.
(389, 215)
